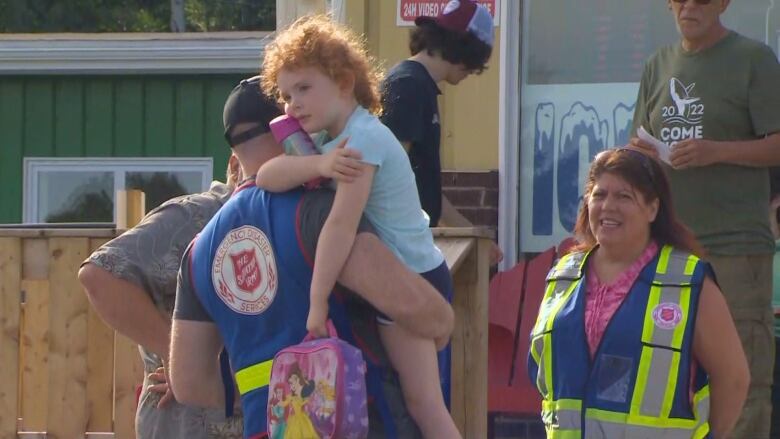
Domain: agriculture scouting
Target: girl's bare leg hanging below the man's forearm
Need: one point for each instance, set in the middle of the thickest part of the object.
(414, 358)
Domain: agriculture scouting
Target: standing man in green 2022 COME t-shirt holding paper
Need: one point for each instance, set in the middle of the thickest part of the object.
(715, 98)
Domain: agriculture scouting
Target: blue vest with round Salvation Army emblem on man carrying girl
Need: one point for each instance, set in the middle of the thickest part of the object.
(251, 275)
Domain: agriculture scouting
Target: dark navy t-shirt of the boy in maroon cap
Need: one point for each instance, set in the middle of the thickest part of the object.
(411, 111)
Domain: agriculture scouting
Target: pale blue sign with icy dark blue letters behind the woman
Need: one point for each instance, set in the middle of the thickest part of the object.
(563, 127)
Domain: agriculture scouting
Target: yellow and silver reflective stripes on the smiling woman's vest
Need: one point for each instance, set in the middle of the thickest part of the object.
(656, 382)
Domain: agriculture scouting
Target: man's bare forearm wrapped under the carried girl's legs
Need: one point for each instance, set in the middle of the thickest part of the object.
(375, 274)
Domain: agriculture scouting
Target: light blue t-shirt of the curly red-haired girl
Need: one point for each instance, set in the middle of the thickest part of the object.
(393, 205)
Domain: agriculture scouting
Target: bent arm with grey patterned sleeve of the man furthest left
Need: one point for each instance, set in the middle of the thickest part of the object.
(131, 279)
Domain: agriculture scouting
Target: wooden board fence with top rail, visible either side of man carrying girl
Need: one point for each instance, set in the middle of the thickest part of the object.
(65, 374)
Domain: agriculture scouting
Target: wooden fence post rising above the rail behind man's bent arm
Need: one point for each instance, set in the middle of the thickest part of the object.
(128, 369)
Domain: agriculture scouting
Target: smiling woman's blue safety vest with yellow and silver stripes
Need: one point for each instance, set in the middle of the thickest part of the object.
(637, 384)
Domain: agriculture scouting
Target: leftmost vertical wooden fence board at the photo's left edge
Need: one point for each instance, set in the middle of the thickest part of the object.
(10, 288)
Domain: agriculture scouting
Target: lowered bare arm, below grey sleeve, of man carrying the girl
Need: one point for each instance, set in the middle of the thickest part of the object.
(195, 373)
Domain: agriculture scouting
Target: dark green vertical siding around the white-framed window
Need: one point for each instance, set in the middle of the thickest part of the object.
(107, 116)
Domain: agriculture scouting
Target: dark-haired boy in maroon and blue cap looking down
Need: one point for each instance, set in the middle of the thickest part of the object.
(449, 47)
